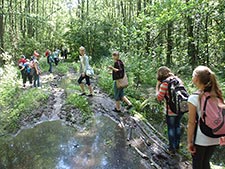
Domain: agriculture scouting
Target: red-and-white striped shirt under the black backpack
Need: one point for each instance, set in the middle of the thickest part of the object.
(163, 93)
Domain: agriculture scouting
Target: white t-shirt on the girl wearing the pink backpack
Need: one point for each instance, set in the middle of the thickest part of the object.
(201, 139)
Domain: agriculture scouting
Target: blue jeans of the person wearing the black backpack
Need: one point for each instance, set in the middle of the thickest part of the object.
(174, 131)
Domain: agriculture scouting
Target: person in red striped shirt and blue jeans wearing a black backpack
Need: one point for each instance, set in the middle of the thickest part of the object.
(164, 75)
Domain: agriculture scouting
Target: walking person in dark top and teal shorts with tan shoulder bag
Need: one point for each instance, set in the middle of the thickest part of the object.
(118, 72)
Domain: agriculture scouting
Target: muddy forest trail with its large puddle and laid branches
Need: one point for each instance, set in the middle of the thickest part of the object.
(108, 141)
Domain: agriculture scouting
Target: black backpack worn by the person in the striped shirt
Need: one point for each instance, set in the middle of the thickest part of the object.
(178, 97)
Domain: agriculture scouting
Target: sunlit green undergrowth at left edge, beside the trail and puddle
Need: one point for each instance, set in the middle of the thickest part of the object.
(16, 103)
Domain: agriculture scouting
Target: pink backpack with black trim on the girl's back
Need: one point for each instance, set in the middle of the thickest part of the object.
(212, 121)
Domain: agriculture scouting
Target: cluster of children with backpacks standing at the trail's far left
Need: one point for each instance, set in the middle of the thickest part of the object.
(30, 69)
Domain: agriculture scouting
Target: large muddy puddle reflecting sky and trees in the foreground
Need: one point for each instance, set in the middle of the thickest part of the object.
(53, 145)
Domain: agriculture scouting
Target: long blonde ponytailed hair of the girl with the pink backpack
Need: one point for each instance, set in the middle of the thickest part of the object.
(208, 78)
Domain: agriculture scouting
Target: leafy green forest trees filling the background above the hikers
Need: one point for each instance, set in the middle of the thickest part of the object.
(184, 33)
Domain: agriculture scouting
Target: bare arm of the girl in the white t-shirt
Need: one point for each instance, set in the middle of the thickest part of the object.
(191, 127)
